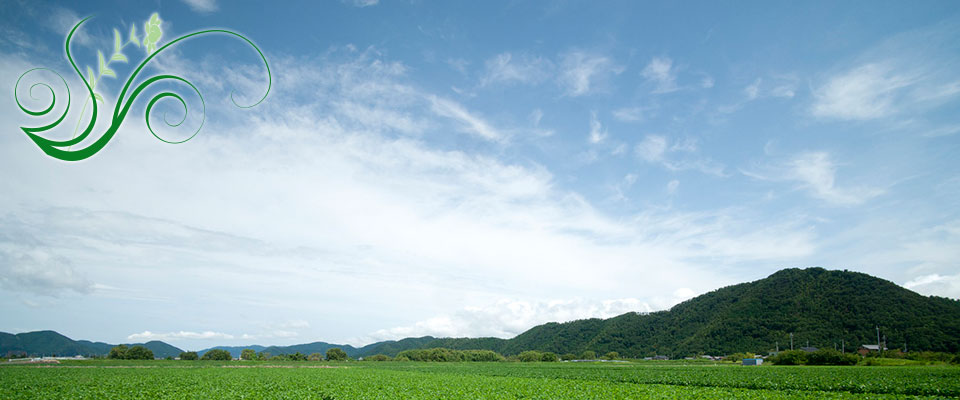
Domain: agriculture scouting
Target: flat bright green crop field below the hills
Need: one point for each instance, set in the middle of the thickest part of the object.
(398, 380)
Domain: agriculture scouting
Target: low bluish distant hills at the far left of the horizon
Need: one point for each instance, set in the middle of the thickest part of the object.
(49, 343)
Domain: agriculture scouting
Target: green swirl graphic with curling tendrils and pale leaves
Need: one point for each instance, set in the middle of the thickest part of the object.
(62, 149)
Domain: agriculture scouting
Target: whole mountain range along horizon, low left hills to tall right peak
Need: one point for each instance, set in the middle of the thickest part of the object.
(819, 307)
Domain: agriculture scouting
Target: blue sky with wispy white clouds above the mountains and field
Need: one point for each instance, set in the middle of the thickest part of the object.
(476, 168)
